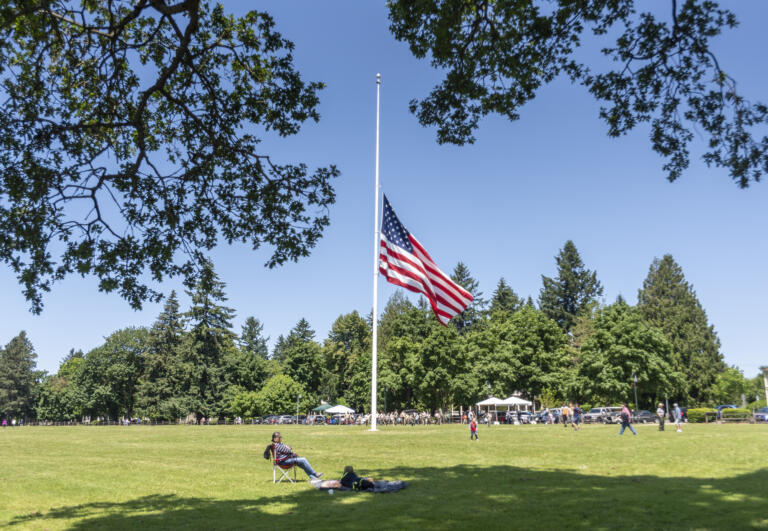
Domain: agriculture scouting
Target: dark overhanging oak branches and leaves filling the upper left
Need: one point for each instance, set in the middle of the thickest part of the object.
(129, 142)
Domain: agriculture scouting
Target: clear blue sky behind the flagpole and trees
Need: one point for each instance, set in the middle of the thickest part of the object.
(504, 206)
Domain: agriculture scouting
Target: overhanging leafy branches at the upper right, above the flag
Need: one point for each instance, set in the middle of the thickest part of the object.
(495, 55)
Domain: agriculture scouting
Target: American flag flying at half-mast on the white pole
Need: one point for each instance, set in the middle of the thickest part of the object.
(405, 263)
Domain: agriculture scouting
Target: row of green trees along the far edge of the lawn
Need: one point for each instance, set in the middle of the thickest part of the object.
(569, 346)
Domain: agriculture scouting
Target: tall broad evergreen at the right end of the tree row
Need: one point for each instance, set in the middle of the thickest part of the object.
(669, 303)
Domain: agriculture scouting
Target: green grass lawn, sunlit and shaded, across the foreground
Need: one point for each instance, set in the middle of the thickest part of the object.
(515, 477)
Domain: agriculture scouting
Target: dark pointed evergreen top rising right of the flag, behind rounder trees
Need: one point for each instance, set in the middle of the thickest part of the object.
(574, 291)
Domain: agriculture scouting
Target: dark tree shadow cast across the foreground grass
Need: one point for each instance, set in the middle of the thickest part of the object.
(460, 496)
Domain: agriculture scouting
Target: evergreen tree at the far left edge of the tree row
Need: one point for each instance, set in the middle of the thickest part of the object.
(18, 378)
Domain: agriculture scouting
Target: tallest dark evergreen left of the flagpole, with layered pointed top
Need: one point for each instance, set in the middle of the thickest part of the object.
(205, 348)
